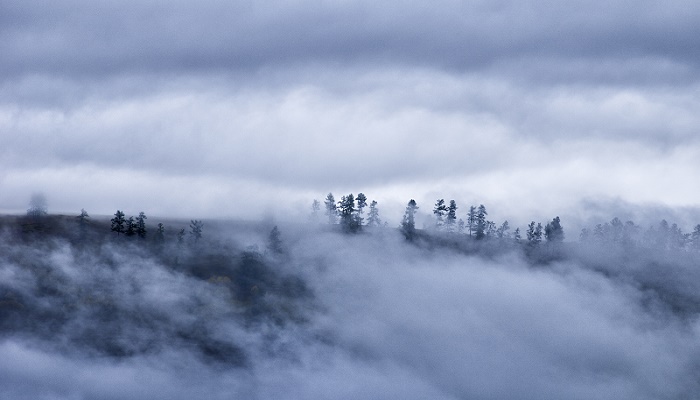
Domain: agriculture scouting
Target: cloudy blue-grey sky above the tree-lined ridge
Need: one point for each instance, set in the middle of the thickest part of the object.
(243, 109)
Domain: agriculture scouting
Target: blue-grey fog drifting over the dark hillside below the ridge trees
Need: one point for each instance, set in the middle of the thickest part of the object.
(367, 315)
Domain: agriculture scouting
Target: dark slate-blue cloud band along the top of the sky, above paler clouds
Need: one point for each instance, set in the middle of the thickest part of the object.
(83, 39)
